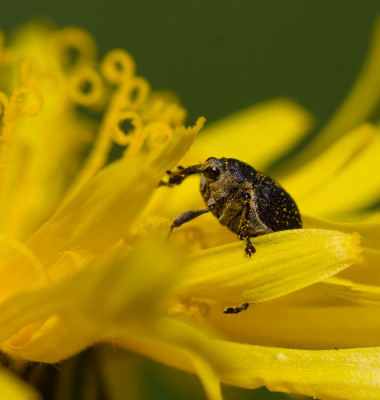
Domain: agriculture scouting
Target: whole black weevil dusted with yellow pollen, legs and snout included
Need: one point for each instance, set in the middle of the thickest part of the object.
(246, 201)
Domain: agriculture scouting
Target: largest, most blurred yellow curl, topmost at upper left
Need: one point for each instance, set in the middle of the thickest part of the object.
(75, 47)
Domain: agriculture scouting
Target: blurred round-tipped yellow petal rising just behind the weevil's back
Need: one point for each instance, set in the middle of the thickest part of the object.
(244, 135)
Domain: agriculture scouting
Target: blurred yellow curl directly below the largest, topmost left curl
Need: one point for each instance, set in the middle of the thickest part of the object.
(86, 87)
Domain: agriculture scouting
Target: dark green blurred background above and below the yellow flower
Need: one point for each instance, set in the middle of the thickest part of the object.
(219, 57)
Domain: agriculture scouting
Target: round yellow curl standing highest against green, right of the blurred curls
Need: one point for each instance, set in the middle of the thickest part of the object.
(118, 66)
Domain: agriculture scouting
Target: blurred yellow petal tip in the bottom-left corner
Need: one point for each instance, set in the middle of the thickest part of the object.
(13, 388)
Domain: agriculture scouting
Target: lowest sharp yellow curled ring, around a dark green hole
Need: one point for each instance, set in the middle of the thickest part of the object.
(135, 136)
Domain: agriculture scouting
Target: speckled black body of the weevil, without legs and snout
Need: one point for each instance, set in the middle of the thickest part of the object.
(248, 202)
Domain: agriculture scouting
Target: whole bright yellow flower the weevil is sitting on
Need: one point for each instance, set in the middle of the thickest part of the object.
(84, 255)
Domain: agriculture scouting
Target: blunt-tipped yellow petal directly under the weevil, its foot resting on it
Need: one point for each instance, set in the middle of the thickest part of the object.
(284, 262)
